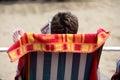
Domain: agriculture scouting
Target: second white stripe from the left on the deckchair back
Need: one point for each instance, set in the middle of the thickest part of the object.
(54, 66)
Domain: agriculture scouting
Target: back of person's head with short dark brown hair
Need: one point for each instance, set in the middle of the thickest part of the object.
(64, 23)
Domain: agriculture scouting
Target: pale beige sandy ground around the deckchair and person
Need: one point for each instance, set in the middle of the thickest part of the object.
(92, 15)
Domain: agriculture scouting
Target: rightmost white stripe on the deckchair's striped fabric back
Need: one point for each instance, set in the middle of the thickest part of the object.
(82, 66)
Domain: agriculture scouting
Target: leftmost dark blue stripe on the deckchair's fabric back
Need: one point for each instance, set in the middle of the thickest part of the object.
(33, 62)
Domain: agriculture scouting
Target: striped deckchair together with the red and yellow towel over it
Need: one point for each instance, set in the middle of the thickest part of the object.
(58, 56)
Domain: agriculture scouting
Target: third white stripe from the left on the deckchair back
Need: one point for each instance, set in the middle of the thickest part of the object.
(68, 66)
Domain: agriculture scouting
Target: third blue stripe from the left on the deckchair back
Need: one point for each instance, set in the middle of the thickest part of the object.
(61, 66)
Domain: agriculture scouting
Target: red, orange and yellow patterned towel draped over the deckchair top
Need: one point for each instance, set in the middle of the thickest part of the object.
(80, 43)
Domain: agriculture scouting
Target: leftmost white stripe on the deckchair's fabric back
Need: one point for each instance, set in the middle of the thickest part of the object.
(40, 62)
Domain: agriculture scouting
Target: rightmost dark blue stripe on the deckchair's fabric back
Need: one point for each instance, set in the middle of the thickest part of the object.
(88, 66)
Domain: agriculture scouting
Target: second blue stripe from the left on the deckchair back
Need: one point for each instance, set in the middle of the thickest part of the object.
(47, 65)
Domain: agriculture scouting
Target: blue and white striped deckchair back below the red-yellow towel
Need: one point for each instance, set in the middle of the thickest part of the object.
(59, 66)
